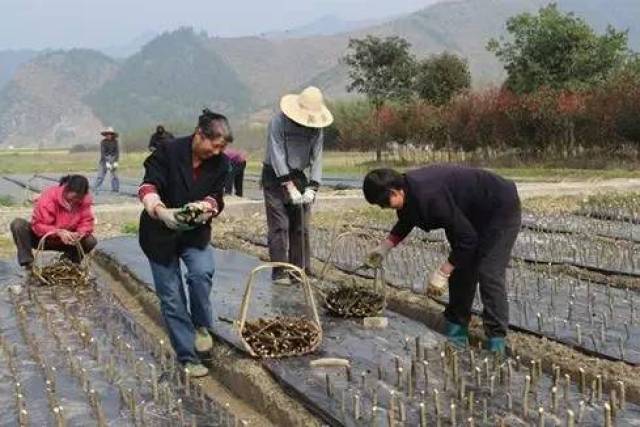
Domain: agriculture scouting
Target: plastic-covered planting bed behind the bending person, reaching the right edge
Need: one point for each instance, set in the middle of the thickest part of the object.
(603, 320)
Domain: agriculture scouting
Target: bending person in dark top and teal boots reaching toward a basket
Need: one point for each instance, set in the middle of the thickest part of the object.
(480, 214)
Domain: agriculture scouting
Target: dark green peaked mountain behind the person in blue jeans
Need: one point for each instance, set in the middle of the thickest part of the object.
(171, 79)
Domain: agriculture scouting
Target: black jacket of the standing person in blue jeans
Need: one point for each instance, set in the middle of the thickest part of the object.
(170, 170)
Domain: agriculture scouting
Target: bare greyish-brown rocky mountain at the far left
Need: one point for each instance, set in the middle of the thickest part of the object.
(43, 104)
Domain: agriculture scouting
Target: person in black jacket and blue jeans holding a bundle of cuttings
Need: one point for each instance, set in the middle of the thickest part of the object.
(189, 171)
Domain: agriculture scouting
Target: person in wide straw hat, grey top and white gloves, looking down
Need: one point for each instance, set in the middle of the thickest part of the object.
(294, 144)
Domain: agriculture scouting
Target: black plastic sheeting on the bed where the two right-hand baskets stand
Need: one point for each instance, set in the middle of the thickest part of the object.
(370, 352)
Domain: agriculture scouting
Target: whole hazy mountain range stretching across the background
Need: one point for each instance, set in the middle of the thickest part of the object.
(62, 97)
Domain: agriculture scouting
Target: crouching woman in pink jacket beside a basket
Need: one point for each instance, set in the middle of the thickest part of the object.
(63, 210)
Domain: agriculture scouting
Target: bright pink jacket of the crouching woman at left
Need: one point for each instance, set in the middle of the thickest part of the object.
(52, 212)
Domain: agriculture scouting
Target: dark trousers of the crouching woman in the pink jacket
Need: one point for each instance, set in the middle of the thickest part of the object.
(26, 240)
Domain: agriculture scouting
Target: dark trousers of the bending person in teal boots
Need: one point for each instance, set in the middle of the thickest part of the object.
(489, 272)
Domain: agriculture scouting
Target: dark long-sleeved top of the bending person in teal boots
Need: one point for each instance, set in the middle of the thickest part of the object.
(470, 204)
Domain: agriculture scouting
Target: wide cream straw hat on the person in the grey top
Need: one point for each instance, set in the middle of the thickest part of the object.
(307, 108)
